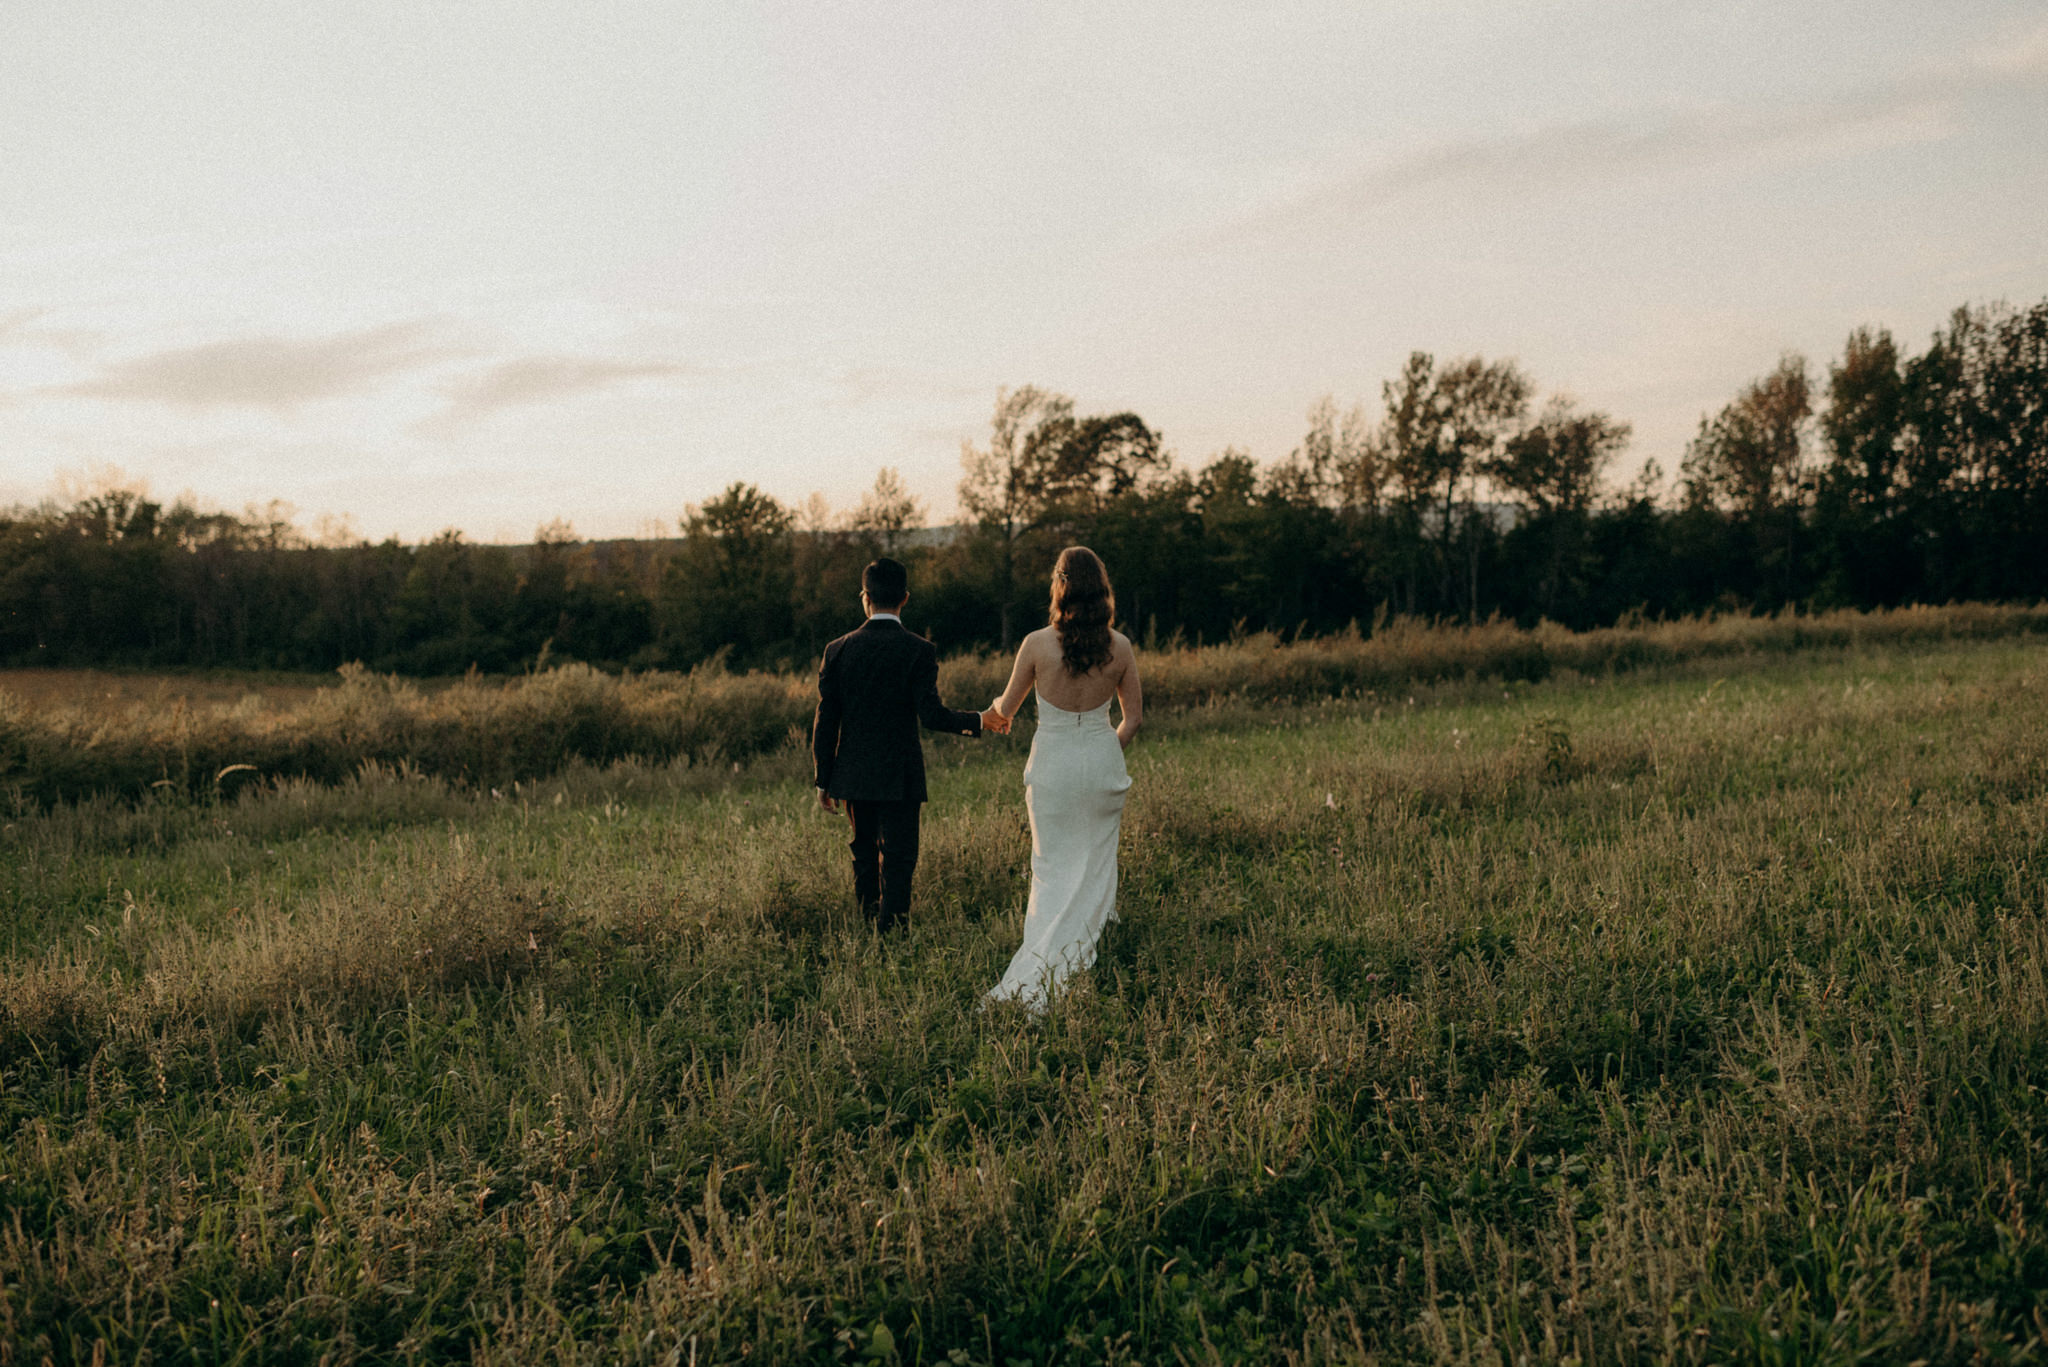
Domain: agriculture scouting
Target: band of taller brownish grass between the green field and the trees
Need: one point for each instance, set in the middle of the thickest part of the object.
(493, 735)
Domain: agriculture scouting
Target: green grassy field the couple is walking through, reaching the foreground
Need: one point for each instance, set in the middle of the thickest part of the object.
(1684, 1016)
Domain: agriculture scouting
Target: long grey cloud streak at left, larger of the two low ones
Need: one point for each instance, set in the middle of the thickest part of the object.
(271, 372)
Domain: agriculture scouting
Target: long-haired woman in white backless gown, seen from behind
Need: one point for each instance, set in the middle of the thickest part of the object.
(1076, 778)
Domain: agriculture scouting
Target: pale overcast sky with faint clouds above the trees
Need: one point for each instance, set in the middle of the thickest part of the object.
(486, 263)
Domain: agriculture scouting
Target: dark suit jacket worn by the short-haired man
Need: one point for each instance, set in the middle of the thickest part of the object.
(873, 690)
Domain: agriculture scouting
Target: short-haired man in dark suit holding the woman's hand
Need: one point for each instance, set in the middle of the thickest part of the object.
(873, 690)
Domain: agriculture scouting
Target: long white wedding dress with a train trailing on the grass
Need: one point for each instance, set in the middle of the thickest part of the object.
(1074, 790)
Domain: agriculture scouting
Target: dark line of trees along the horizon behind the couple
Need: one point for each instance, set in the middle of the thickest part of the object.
(1461, 495)
